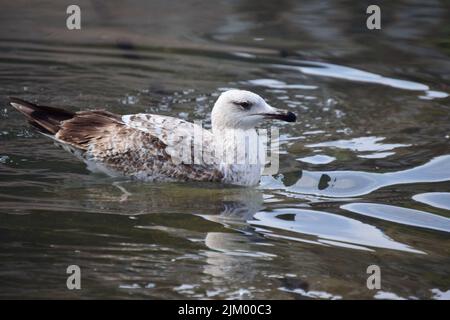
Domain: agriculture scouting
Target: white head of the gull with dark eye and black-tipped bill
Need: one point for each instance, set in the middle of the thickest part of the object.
(240, 109)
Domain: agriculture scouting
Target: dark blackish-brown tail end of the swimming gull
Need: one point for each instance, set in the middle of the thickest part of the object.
(46, 119)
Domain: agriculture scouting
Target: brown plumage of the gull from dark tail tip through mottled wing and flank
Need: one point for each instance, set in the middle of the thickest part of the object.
(106, 143)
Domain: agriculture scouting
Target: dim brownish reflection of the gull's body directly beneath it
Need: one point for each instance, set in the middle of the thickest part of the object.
(230, 203)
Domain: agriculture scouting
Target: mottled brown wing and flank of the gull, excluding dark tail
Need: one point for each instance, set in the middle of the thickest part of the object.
(105, 139)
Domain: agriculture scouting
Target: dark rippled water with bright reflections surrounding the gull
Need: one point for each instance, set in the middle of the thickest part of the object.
(365, 172)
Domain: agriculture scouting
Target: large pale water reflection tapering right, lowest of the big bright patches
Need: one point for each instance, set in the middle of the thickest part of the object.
(330, 228)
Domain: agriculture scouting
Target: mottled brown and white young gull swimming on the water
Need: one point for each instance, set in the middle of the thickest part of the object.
(153, 147)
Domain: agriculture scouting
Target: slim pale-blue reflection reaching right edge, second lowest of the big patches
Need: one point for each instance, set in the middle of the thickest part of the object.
(400, 215)
